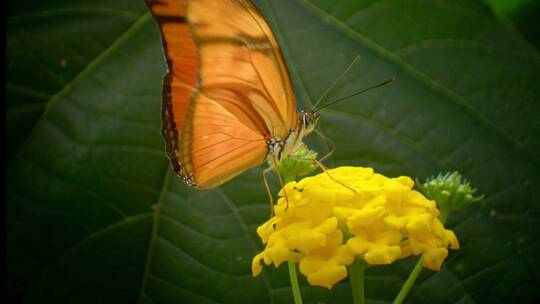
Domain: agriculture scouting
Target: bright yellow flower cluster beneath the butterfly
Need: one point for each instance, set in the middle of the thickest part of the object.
(324, 226)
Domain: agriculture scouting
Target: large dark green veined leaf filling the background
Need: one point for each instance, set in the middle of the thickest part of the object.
(96, 216)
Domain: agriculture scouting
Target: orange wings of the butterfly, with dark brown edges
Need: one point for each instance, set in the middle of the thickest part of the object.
(227, 89)
